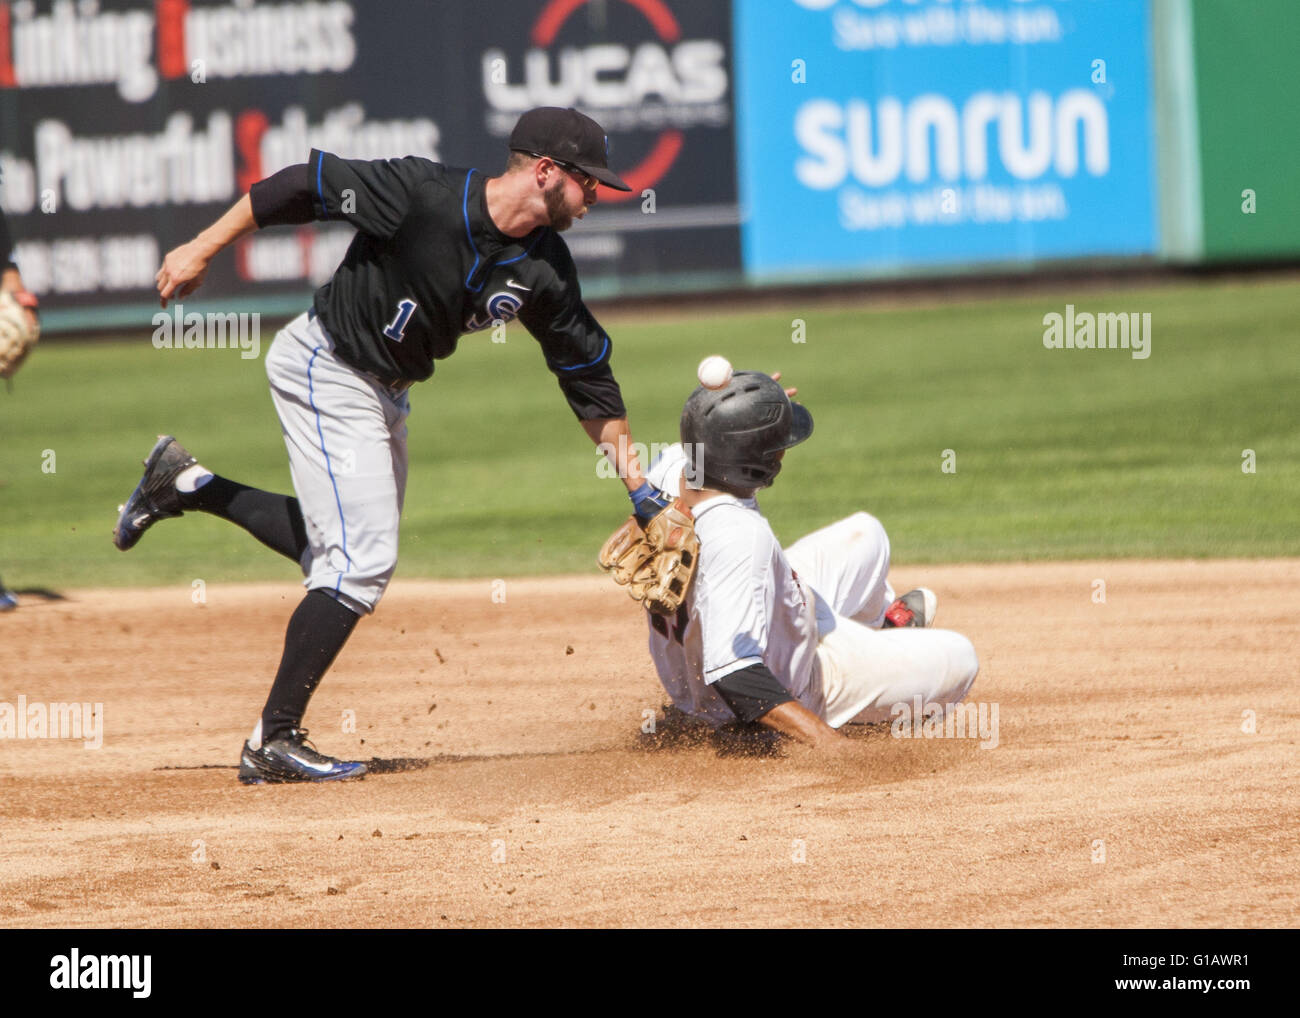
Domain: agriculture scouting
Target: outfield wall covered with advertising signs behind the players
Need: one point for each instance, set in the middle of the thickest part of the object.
(768, 141)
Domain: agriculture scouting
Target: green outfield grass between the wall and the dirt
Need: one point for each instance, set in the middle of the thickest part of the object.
(1060, 454)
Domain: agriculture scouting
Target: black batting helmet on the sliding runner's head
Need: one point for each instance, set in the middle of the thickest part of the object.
(735, 435)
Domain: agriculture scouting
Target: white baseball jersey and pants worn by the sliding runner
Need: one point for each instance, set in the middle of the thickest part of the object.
(811, 614)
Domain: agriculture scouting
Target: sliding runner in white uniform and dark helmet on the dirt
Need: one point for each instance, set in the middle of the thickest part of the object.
(803, 640)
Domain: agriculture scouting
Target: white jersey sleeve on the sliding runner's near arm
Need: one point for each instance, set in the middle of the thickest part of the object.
(735, 600)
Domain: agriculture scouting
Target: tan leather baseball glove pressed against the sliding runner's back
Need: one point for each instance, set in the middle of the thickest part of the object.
(656, 564)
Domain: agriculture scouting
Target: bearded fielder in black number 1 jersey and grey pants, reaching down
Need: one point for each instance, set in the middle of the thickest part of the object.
(439, 253)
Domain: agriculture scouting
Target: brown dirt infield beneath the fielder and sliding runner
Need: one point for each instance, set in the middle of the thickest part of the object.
(515, 787)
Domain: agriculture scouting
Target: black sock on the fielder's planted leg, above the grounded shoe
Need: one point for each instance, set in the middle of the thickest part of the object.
(317, 633)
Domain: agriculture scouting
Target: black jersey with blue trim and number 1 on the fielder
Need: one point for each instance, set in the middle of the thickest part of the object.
(428, 266)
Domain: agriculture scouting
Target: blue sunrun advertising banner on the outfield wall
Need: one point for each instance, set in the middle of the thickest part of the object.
(877, 136)
